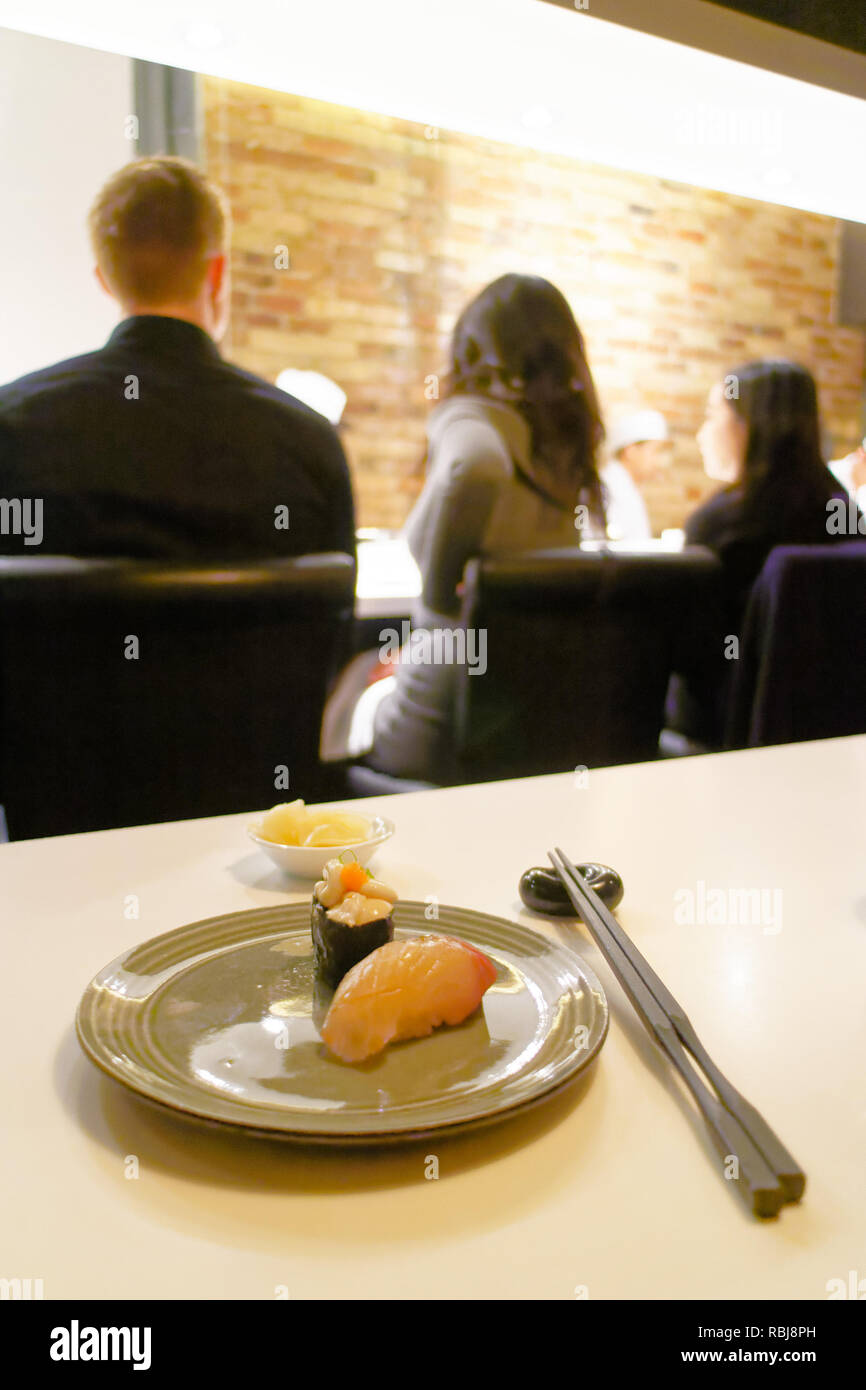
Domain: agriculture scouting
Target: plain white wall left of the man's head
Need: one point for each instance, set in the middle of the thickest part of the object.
(62, 134)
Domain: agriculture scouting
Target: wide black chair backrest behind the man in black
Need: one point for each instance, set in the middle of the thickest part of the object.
(133, 693)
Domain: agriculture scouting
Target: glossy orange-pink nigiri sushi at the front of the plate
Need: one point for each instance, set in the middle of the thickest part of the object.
(405, 990)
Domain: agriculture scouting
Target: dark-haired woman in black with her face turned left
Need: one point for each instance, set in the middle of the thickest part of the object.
(761, 440)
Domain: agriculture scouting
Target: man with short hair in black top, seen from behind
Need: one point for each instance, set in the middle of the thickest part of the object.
(155, 447)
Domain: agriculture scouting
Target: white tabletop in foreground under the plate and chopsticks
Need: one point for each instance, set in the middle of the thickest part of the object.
(610, 1191)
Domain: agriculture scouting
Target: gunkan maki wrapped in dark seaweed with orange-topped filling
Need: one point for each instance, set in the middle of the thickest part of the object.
(352, 917)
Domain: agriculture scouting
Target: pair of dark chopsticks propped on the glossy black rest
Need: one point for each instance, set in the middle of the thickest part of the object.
(765, 1170)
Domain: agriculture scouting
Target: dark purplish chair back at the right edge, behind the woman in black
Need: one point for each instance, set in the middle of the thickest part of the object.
(801, 671)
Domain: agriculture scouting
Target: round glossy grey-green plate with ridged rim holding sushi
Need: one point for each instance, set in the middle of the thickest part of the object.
(219, 1021)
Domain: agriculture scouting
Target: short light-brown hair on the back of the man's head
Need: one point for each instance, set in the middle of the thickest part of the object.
(154, 229)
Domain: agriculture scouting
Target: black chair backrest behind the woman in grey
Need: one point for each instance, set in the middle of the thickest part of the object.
(580, 647)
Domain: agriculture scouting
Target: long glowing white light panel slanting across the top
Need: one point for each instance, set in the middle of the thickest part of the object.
(594, 91)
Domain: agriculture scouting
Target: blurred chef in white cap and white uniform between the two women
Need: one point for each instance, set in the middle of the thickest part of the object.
(637, 445)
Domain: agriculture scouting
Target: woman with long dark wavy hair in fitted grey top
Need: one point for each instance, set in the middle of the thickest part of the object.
(511, 466)
